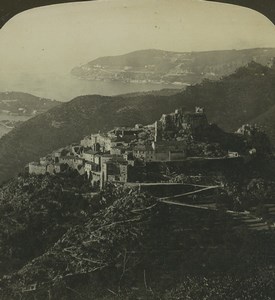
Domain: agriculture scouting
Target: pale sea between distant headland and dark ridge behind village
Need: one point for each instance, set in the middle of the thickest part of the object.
(66, 87)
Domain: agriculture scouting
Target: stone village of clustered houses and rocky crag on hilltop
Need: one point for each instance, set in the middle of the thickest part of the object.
(113, 156)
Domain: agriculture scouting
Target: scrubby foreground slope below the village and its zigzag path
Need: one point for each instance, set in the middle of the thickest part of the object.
(123, 244)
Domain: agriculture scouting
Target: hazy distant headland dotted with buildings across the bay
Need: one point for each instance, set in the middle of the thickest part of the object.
(179, 68)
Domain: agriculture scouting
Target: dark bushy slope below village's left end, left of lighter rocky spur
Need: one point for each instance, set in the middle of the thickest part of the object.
(34, 213)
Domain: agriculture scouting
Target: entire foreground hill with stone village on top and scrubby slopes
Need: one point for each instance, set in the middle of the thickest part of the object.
(115, 197)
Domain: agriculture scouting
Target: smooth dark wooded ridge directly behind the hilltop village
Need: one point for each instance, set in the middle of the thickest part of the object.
(229, 102)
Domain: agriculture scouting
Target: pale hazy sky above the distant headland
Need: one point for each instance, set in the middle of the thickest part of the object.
(58, 37)
